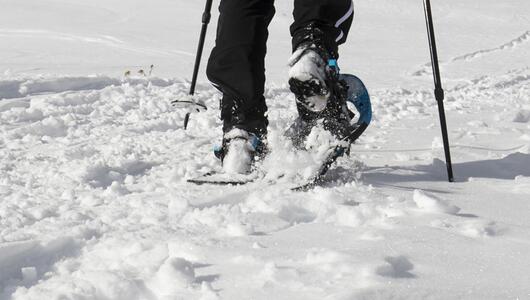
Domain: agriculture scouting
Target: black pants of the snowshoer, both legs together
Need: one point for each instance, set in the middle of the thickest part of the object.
(237, 63)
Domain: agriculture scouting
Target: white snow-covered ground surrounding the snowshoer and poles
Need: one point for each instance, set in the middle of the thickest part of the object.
(94, 202)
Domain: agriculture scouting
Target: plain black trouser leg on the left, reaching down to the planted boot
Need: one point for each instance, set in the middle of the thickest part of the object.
(236, 65)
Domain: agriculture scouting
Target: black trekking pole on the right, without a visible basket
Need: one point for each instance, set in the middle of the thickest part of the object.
(438, 90)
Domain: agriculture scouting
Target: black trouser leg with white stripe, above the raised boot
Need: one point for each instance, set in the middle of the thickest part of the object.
(326, 20)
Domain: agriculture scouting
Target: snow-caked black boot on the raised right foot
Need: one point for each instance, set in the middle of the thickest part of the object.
(320, 94)
